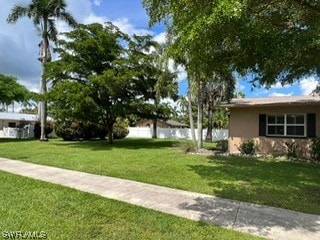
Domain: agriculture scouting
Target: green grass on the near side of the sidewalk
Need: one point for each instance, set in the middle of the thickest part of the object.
(29, 205)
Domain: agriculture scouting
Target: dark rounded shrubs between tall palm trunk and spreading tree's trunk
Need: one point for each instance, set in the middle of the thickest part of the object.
(75, 131)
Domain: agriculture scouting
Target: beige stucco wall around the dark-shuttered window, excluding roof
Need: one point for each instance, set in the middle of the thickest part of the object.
(244, 125)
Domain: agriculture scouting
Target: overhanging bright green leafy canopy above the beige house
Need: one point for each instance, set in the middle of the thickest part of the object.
(276, 40)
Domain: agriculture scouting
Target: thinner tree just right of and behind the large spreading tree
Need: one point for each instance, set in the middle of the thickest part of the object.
(157, 80)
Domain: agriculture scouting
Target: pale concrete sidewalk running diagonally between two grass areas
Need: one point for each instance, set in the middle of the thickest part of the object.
(270, 222)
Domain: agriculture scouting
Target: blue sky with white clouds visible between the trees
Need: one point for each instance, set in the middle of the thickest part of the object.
(19, 43)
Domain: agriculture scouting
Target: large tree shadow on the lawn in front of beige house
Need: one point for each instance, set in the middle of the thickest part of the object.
(279, 184)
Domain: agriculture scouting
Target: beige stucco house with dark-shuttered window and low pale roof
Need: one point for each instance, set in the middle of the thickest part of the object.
(271, 122)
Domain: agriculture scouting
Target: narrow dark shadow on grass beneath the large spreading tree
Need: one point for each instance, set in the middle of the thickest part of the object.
(102, 145)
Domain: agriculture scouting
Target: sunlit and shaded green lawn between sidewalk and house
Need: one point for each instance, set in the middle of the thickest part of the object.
(282, 184)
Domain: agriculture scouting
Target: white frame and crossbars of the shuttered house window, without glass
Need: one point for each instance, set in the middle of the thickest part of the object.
(286, 125)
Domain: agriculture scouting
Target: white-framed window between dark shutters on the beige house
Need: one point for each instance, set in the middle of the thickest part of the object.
(291, 125)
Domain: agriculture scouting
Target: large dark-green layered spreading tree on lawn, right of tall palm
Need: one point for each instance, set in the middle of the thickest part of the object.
(93, 80)
